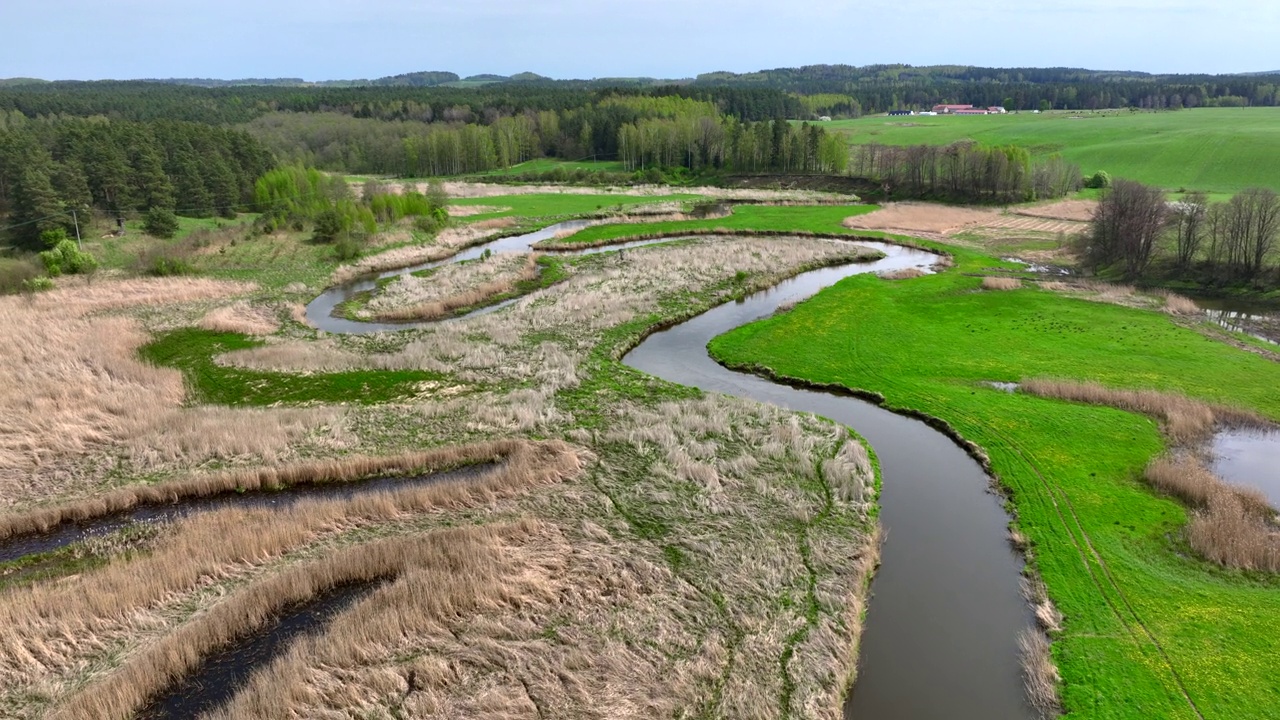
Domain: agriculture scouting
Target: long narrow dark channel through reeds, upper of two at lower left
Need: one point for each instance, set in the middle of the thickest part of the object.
(68, 534)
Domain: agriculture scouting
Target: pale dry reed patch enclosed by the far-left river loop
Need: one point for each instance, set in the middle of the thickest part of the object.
(451, 288)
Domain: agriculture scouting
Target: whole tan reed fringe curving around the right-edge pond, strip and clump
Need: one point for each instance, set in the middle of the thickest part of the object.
(1231, 526)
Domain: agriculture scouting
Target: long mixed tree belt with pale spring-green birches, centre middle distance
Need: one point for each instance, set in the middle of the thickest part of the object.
(641, 130)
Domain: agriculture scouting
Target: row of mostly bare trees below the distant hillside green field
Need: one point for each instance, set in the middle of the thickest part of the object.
(964, 172)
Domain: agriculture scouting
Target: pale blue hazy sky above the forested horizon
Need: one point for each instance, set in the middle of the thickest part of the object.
(588, 39)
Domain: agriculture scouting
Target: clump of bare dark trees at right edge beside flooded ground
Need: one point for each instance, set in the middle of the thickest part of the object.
(1136, 229)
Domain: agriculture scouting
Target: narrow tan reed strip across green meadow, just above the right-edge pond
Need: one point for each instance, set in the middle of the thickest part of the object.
(1183, 420)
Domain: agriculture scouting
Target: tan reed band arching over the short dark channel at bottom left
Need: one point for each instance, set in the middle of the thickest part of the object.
(456, 572)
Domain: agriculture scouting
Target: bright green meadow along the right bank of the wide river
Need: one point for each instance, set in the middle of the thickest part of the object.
(1073, 471)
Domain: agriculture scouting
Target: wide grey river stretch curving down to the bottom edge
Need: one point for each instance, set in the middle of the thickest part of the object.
(940, 637)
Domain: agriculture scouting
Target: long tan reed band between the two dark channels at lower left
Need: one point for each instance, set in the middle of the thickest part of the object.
(49, 630)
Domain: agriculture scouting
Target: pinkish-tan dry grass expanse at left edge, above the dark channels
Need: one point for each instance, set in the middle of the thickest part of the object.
(71, 381)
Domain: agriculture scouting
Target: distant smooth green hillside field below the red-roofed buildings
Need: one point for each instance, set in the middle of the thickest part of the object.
(1212, 149)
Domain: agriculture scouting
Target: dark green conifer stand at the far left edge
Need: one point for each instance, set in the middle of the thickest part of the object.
(54, 167)
